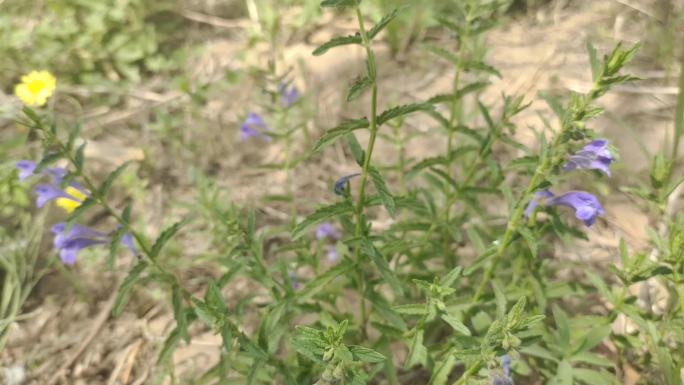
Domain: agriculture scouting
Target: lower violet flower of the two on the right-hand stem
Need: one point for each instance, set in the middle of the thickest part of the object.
(587, 207)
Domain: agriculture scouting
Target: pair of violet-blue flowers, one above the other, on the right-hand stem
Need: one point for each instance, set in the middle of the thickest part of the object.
(594, 156)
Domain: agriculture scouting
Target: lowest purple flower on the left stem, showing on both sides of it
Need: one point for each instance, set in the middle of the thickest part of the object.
(70, 242)
